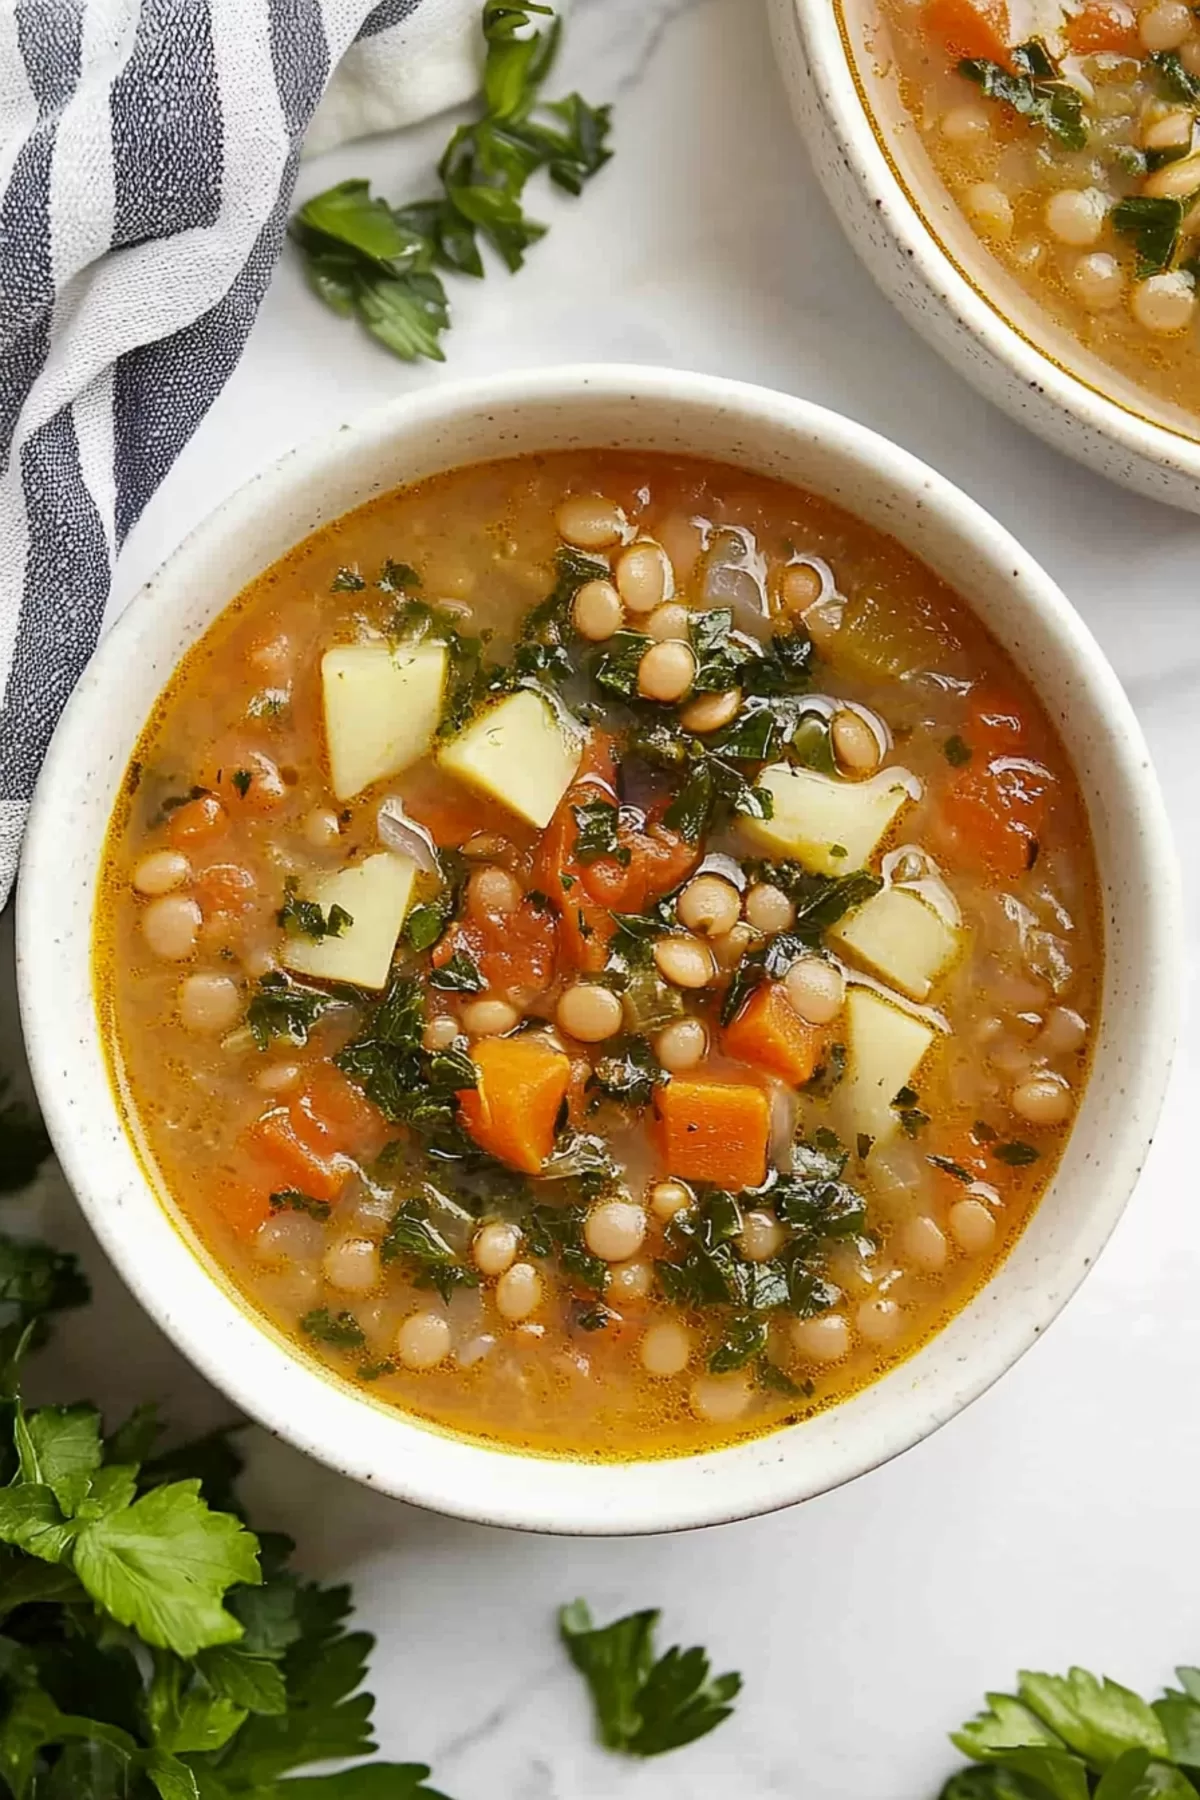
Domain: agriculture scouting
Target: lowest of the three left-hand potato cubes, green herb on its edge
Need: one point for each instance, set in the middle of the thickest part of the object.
(377, 895)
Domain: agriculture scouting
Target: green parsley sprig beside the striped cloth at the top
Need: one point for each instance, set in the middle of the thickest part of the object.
(384, 265)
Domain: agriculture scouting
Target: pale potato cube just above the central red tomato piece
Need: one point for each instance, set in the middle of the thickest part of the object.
(519, 753)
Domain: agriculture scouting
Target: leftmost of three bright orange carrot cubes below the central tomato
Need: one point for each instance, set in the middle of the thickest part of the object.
(514, 1113)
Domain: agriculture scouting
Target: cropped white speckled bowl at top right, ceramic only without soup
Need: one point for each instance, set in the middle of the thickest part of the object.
(926, 256)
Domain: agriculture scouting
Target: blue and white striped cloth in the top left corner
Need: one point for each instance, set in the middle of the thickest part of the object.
(148, 152)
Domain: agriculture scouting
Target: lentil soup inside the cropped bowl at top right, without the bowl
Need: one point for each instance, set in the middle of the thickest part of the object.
(1068, 136)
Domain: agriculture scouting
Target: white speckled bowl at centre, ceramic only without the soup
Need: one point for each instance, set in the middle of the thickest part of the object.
(771, 435)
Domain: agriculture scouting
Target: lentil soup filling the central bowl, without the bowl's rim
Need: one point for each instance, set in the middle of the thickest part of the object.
(602, 949)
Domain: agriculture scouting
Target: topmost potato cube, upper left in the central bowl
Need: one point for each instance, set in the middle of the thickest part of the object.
(382, 710)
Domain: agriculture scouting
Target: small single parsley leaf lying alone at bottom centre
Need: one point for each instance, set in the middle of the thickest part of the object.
(645, 1705)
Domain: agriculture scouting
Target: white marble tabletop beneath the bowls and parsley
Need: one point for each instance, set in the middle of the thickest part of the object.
(1057, 1518)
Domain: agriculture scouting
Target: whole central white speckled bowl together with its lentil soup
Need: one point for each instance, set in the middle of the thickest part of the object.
(600, 951)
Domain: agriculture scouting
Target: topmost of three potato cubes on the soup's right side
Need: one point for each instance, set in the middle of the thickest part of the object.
(830, 825)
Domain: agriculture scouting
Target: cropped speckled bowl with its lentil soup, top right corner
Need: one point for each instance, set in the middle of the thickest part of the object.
(999, 170)
